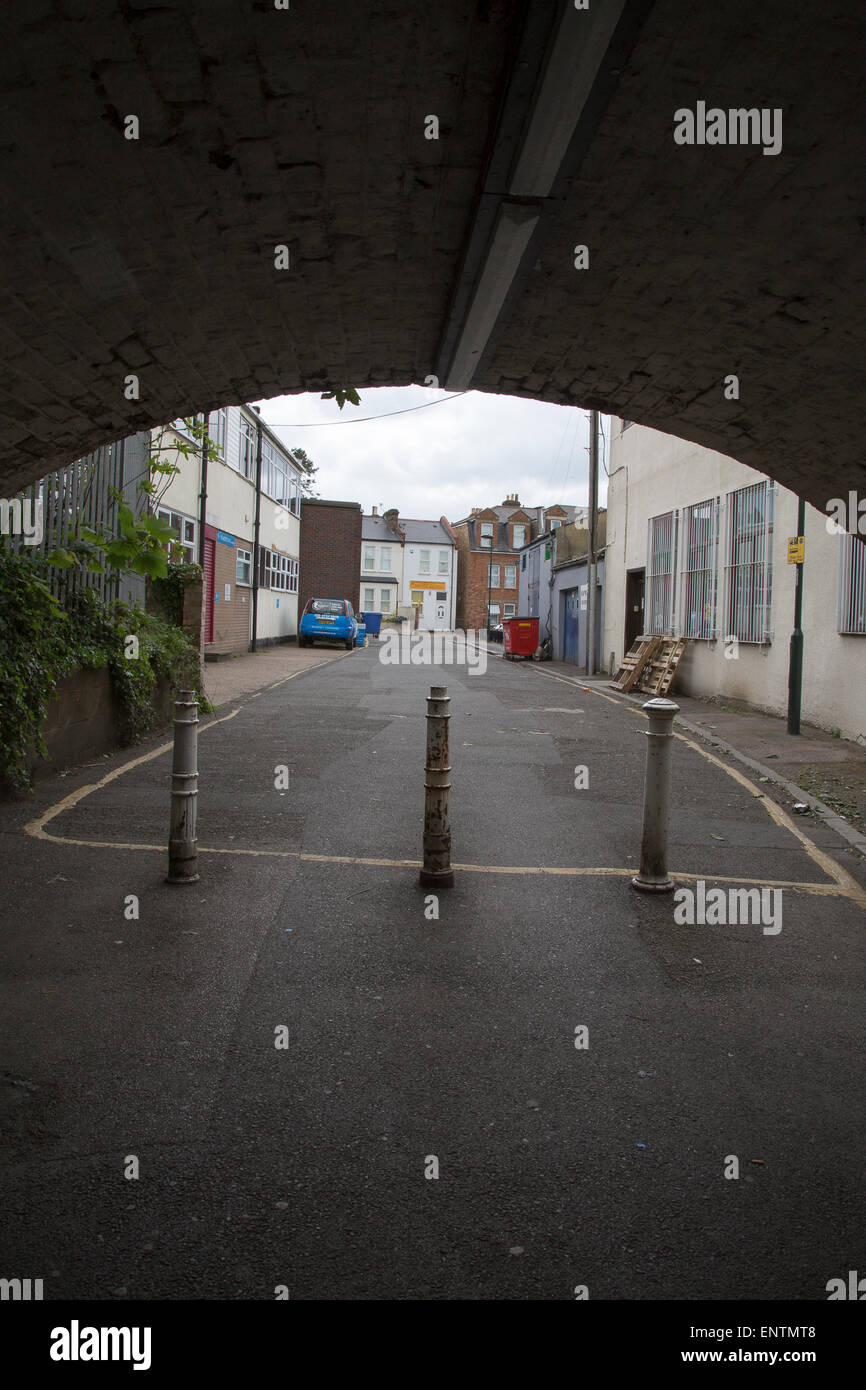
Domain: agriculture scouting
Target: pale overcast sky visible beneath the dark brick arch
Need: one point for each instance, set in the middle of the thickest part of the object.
(465, 452)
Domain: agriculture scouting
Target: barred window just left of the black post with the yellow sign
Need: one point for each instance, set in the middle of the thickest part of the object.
(750, 564)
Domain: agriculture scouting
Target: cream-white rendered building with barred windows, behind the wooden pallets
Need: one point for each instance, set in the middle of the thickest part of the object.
(698, 548)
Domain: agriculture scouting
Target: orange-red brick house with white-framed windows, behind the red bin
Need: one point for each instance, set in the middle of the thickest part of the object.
(489, 548)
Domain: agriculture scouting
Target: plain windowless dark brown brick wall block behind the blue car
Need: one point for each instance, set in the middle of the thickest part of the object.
(330, 551)
